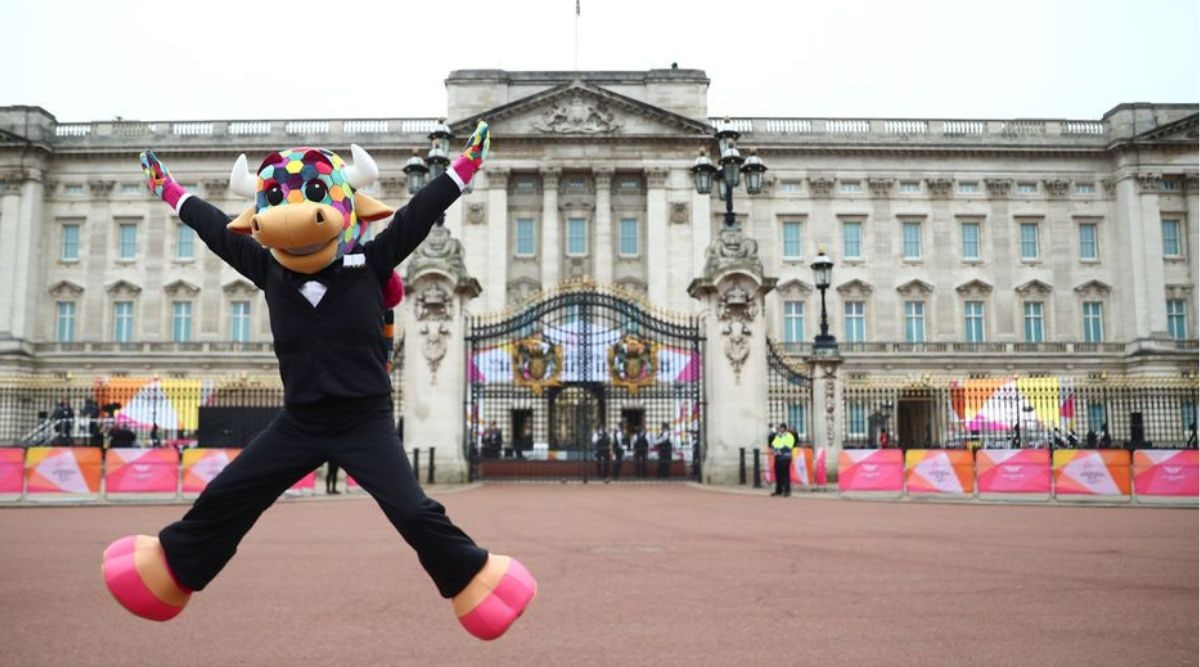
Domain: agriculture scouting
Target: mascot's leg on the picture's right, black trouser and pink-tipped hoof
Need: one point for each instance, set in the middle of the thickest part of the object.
(489, 592)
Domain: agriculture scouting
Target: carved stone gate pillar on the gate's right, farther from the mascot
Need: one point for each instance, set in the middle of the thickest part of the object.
(733, 289)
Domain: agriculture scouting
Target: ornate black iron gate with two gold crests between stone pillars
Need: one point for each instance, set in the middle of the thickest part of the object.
(543, 381)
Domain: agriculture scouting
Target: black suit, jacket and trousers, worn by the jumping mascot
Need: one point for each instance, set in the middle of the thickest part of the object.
(338, 402)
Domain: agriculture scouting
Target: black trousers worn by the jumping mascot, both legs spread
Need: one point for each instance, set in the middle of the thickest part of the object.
(206, 539)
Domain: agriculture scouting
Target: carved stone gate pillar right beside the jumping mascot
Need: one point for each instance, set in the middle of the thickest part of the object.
(439, 289)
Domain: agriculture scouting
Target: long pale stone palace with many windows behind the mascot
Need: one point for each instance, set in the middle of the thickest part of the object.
(631, 257)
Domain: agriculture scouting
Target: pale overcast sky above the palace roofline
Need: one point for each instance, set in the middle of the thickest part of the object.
(220, 59)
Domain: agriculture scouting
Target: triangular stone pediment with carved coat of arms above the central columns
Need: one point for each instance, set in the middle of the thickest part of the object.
(580, 110)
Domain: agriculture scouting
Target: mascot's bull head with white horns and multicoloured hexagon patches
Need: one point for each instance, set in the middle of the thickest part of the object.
(307, 207)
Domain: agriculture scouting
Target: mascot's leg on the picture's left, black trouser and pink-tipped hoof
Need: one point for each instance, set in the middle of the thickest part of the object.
(154, 578)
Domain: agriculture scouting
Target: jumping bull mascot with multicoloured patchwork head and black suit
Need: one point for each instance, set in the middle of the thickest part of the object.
(327, 291)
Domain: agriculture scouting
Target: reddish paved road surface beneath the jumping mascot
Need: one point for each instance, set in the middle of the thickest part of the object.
(635, 575)
